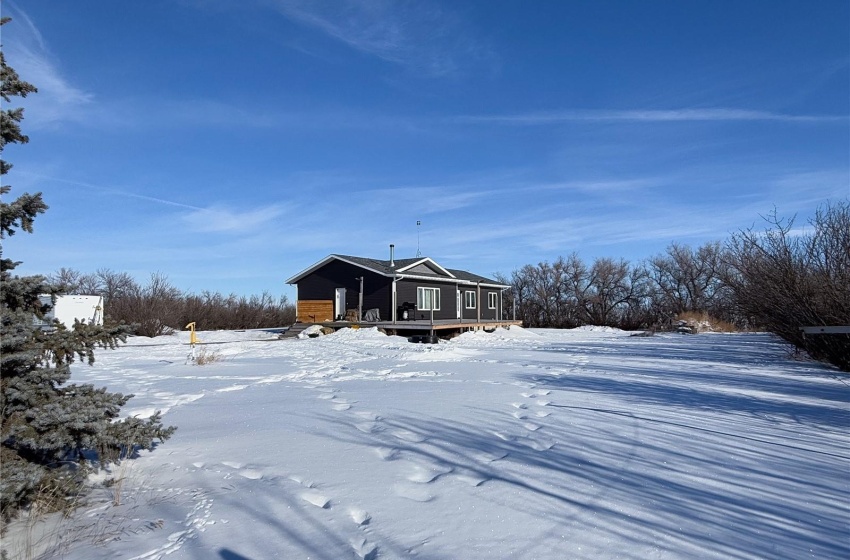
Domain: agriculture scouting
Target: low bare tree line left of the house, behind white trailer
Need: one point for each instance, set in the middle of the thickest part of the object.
(158, 307)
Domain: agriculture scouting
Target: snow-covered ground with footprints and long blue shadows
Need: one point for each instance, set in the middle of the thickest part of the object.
(517, 444)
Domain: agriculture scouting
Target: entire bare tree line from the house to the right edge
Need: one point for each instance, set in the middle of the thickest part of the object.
(778, 279)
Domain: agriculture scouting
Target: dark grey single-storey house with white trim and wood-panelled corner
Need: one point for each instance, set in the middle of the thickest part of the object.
(341, 287)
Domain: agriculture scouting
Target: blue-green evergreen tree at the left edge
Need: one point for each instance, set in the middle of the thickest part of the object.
(49, 427)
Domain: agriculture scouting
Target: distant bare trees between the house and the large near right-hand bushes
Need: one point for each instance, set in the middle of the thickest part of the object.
(568, 293)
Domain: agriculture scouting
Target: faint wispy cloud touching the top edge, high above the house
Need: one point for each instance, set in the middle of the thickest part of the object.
(417, 35)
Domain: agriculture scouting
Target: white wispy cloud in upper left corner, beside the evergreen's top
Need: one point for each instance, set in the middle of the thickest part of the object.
(26, 50)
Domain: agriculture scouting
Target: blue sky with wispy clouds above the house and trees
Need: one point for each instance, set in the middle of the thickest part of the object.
(230, 144)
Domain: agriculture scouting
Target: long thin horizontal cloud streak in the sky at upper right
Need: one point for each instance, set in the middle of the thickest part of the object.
(649, 116)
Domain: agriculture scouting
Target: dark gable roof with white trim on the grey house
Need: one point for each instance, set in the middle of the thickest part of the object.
(404, 268)
